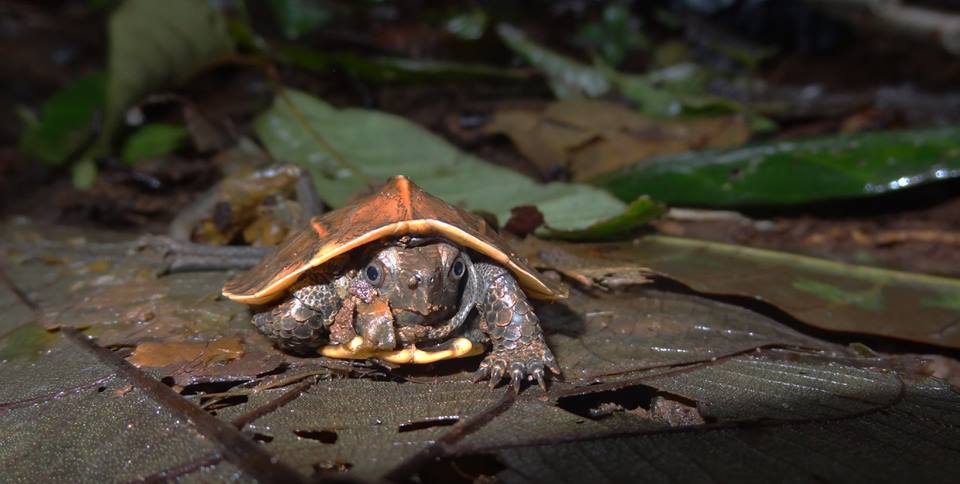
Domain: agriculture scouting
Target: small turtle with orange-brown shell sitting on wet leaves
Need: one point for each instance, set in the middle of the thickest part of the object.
(405, 277)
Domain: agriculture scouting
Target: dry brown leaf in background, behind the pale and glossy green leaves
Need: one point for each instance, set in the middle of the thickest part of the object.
(591, 138)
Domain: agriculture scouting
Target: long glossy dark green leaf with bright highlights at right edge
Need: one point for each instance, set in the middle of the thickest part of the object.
(786, 172)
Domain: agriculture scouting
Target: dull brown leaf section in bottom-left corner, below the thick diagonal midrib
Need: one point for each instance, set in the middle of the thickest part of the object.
(105, 419)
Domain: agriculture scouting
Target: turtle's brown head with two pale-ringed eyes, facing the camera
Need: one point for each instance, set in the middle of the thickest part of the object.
(421, 282)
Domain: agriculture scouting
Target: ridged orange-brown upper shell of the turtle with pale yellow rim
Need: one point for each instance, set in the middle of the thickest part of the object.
(399, 208)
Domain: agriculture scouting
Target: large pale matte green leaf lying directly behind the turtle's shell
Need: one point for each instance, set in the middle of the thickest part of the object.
(347, 149)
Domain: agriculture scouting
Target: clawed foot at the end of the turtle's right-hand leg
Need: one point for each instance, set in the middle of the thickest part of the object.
(529, 362)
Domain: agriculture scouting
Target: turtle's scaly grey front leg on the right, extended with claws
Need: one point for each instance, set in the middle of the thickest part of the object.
(507, 318)
